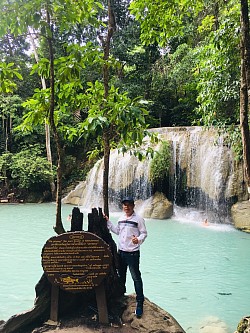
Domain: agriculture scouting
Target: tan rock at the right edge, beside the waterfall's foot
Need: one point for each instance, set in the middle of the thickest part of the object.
(241, 215)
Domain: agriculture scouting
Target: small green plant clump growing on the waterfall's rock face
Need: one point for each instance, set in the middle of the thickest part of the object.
(160, 163)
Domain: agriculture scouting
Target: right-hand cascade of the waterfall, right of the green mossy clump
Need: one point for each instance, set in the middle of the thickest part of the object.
(203, 174)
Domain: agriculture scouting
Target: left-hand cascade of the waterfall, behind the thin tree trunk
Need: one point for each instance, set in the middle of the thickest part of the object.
(126, 176)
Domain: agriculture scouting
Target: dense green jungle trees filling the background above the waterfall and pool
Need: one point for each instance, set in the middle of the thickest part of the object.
(99, 73)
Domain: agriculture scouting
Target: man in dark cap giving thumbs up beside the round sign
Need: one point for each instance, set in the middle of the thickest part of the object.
(131, 231)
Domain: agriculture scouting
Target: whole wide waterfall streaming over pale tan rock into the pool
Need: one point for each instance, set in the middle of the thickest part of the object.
(202, 175)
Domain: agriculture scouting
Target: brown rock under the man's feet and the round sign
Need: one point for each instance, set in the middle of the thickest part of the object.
(154, 320)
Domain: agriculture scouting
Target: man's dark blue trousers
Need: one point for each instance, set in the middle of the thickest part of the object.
(131, 260)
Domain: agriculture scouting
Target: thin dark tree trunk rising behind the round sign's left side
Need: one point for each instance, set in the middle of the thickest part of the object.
(59, 226)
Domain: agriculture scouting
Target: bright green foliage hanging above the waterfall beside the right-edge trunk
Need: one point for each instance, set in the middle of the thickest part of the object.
(218, 73)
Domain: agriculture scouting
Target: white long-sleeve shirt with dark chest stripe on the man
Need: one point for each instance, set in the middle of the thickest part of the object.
(126, 228)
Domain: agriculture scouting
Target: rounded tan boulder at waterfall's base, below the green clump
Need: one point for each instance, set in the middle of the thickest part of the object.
(158, 207)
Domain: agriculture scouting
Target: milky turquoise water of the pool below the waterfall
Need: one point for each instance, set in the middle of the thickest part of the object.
(200, 275)
